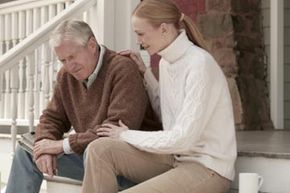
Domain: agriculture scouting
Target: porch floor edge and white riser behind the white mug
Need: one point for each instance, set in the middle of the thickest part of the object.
(268, 154)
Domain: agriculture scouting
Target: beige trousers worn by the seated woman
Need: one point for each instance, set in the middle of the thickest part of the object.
(154, 173)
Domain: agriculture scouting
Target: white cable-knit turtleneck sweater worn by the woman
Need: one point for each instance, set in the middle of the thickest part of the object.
(196, 110)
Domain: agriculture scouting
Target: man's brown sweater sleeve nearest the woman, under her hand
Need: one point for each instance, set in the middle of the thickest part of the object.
(128, 102)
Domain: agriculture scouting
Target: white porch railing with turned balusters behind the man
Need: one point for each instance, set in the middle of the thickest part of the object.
(27, 66)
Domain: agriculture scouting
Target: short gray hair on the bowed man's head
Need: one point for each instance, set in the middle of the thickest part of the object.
(71, 30)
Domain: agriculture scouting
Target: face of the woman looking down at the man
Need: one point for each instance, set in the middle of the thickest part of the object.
(148, 36)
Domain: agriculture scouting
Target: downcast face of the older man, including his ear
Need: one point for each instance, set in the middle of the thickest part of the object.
(78, 60)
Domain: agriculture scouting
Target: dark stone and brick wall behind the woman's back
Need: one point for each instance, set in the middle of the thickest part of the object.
(234, 34)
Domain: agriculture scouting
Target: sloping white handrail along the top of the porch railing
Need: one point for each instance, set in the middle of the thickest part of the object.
(30, 43)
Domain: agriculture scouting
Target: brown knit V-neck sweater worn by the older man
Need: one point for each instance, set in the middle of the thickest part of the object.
(116, 94)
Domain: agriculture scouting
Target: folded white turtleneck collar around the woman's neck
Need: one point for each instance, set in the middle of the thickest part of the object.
(176, 49)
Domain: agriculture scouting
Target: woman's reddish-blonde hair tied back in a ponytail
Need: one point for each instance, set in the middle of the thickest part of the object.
(165, 11)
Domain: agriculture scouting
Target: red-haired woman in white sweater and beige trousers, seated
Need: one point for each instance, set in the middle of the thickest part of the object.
(196, 151)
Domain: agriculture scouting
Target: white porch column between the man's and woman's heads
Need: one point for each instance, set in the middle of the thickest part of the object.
(112, 23)
